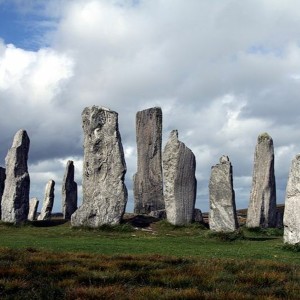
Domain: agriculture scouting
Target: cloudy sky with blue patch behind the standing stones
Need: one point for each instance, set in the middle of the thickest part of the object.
(222, 71)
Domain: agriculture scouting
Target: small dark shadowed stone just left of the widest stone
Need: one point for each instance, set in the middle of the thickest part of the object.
(69, 192)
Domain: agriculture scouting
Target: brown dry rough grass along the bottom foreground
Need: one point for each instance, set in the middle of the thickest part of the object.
(37, 274)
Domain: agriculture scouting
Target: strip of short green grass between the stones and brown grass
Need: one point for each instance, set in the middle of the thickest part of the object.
(164, 239)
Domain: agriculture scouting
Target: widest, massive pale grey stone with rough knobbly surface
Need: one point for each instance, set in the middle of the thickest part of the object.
(104, 168)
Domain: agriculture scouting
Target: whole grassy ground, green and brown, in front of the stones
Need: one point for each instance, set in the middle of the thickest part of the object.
(53, 261)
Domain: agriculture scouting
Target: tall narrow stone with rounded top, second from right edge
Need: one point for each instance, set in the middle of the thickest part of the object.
(262, 204)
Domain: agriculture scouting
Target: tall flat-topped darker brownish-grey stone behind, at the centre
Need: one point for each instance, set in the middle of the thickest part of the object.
(148, 183)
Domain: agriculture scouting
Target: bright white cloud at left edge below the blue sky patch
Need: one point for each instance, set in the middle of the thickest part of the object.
(36, 77)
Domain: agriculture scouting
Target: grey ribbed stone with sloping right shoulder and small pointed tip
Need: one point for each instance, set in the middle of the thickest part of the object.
(179, 165)
